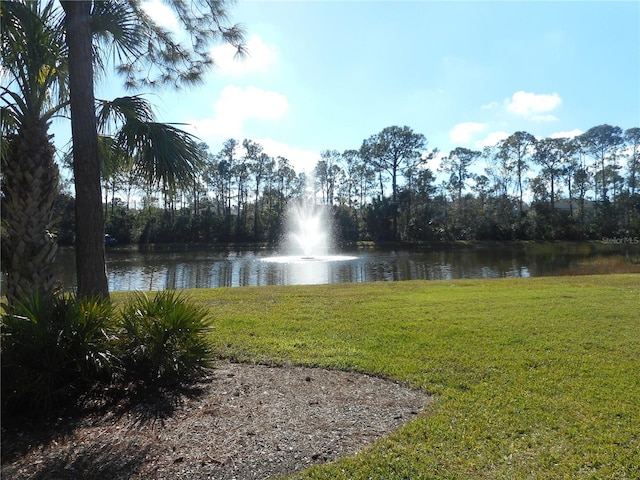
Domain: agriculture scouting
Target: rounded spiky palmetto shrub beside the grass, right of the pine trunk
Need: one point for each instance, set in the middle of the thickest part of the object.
(165, 338)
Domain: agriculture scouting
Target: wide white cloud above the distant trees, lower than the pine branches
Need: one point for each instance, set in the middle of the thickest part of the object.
(235, 106)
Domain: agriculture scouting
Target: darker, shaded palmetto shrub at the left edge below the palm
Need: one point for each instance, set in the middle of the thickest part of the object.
(55, 348)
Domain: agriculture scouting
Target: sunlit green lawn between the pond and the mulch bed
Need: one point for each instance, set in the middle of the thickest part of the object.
(534, 378)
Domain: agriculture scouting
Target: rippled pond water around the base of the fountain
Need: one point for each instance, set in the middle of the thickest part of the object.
(180, 267)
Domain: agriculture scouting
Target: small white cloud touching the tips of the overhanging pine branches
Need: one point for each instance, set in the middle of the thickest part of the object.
(259, 56)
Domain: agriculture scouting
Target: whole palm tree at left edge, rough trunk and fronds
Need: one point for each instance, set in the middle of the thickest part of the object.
(34, 57)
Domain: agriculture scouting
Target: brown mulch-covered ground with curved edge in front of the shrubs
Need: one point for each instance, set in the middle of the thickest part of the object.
(242, 422)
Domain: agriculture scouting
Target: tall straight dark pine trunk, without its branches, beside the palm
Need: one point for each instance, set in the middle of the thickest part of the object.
(90, 253)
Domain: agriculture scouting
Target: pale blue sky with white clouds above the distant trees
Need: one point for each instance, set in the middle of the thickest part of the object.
(329, 74)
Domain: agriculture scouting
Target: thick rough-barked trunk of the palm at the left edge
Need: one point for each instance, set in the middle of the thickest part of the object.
(30, 186)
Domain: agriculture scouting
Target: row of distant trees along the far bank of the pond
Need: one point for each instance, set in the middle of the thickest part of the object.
(585, 187)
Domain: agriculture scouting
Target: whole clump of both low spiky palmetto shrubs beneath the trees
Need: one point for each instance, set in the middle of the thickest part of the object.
(57, 348)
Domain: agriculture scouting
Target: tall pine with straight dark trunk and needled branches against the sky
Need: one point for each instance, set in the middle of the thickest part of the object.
(145, 54)
